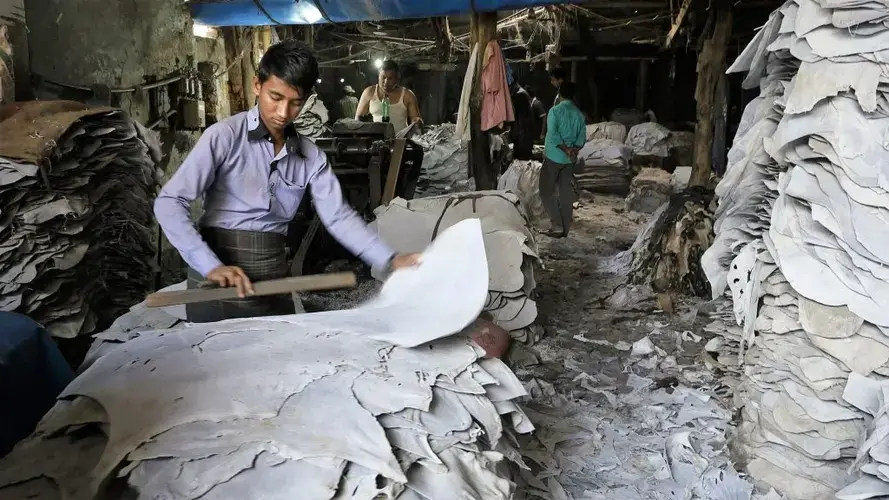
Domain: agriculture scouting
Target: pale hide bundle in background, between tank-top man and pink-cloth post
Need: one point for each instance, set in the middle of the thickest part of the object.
(445, 160)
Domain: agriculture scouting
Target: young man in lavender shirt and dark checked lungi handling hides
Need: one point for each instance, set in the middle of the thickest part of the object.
(252, 171)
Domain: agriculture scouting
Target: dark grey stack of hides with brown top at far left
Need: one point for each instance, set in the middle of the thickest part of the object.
(77, 243)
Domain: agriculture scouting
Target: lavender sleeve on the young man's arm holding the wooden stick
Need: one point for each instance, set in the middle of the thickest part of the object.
(173, 205)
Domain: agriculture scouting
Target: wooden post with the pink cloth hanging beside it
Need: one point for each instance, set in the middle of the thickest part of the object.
(483, 29)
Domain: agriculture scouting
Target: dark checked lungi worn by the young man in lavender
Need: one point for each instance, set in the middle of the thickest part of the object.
(262, 256)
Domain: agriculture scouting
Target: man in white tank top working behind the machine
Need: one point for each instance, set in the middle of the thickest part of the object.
(403, 107)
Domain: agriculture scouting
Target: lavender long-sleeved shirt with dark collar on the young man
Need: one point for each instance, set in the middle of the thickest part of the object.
(245, 186)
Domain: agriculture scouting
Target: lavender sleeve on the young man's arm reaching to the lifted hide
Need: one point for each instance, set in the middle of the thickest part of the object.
(340, 219)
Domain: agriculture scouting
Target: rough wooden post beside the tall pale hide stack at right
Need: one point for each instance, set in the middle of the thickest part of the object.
(711, 66)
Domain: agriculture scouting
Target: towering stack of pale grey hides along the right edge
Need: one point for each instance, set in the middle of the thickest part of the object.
(802, 251)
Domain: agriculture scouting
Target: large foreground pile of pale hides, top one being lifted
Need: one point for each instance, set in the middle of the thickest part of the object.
(379, 402)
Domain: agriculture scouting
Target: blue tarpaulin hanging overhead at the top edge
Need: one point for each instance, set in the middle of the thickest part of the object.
(249, 13)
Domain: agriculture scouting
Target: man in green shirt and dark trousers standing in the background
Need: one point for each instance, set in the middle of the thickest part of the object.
(565, 135)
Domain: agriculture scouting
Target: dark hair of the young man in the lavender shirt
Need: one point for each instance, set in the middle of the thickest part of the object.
(291, 61)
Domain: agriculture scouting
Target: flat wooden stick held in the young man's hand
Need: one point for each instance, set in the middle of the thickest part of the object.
(311, 283)
